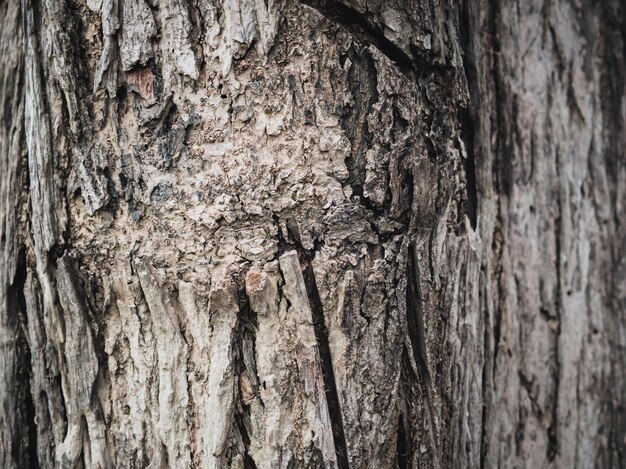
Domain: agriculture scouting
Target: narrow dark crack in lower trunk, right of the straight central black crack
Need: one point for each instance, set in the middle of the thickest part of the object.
(415, 323)
